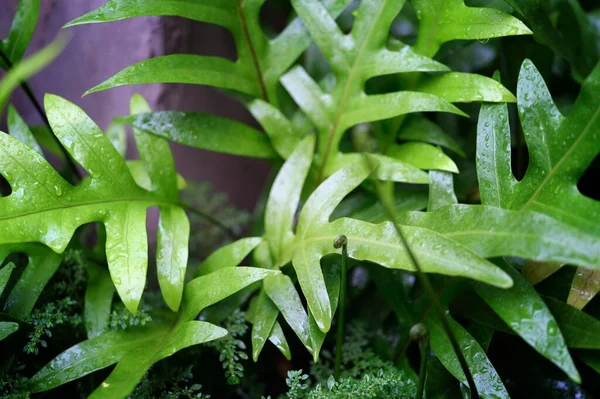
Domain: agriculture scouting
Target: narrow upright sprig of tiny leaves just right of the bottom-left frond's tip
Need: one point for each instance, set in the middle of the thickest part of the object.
(231, 348)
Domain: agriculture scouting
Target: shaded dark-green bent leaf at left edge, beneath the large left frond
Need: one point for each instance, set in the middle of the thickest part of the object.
(41, 266)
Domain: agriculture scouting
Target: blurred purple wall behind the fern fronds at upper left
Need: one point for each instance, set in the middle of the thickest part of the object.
(96, 52)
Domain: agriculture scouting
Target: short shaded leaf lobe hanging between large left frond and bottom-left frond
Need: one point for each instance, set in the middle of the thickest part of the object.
(98, 300)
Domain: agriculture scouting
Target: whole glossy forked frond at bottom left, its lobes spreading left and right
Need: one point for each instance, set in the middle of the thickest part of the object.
(136, 349)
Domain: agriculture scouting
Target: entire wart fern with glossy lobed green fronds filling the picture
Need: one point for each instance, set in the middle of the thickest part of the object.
(340, 141)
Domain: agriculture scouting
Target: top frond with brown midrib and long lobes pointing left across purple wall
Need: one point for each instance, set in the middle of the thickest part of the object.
(260, 63)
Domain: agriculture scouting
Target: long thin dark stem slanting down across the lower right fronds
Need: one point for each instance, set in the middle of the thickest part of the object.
(391, 213)
